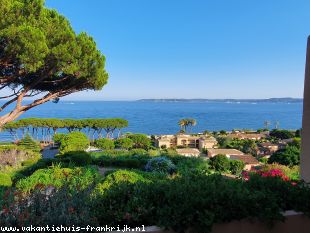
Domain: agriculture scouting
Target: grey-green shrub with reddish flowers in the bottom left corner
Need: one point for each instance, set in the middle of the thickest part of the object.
(61, 208)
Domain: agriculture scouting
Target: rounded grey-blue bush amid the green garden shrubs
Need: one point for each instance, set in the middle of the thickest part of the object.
(161, 165)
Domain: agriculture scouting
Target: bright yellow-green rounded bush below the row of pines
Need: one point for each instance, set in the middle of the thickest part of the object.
(74, 141)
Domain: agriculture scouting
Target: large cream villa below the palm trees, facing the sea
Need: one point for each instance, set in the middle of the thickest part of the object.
(185, 140)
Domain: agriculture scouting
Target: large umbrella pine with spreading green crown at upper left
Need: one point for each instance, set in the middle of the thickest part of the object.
(41, 55)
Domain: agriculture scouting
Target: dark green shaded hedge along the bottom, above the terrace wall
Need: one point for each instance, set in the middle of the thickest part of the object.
(223, 200)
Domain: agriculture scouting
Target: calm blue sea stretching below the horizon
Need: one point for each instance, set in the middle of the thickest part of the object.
(162, 117)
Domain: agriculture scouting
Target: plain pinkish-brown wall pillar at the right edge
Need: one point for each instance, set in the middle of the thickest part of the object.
(305, 142)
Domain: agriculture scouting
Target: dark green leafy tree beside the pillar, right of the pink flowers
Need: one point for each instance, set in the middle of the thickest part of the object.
(289, 156)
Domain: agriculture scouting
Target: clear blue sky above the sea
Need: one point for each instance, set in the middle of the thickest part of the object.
(195, 48)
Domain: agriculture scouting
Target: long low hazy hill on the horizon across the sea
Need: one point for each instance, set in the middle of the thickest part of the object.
(270, 100)
